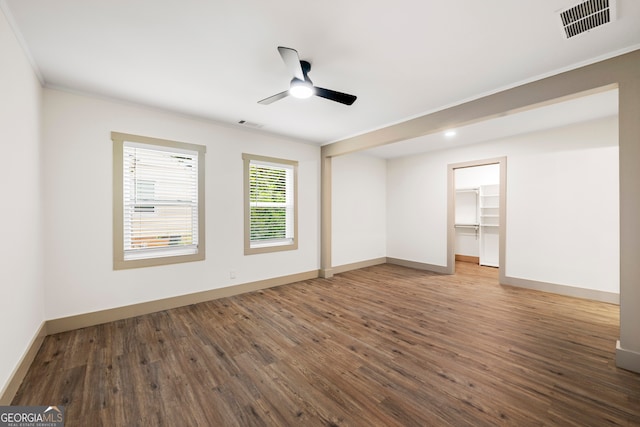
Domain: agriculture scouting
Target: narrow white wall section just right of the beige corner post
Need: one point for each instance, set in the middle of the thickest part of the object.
(358, 229)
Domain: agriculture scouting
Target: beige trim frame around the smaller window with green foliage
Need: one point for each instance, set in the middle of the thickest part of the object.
(272, 245)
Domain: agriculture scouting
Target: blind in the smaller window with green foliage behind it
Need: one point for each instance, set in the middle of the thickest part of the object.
(271, 201)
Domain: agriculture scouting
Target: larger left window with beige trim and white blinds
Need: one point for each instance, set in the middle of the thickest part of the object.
(158, 201)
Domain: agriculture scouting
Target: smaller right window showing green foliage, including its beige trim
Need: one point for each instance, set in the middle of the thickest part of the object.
(271, 208)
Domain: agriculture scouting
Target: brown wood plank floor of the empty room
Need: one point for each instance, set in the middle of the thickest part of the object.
(381, 346)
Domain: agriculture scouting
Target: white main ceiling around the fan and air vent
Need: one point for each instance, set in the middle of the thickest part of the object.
(216, 58)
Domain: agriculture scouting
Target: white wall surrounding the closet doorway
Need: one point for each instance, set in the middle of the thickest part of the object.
(562, 204)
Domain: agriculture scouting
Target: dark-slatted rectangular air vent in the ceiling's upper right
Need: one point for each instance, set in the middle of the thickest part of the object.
(587, 16)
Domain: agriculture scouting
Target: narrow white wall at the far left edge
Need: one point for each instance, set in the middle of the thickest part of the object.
(21, 283)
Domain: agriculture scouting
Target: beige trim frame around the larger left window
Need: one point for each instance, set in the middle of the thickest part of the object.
(119, 261)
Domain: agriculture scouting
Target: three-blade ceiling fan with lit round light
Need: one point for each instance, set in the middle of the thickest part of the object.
(301, 85)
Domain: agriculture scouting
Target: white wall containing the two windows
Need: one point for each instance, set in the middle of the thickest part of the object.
(78, 205)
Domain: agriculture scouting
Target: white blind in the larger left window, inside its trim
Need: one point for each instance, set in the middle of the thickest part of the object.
(160, 191)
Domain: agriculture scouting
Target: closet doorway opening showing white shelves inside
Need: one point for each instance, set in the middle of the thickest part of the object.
(477, 212)
